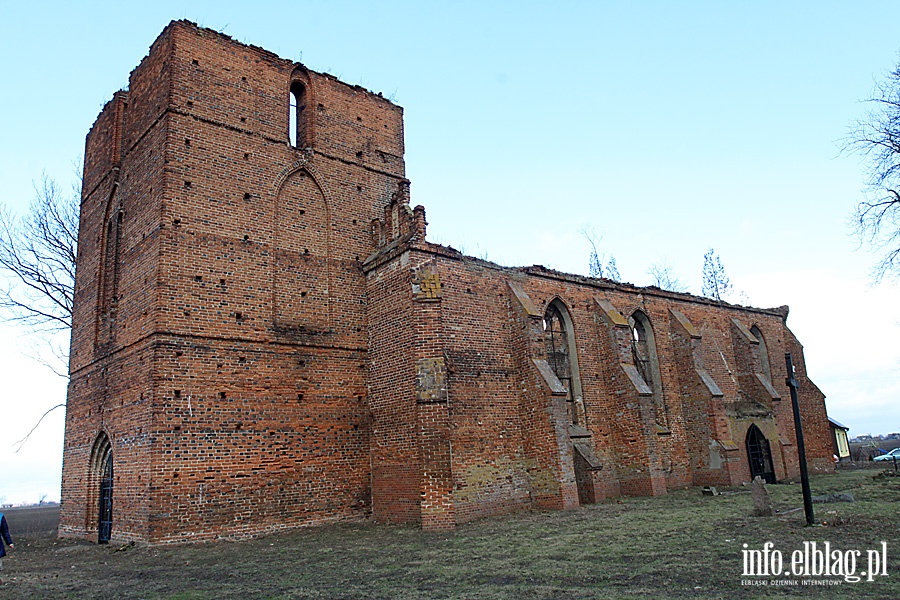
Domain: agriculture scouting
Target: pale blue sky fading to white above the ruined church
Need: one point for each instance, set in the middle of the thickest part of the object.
(668, 128)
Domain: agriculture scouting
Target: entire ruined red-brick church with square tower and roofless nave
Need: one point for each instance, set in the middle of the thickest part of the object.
(263, 338)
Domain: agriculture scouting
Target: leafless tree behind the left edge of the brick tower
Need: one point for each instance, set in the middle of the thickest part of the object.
(37, 256)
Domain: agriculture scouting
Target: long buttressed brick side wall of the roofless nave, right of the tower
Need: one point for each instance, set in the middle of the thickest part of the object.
(713, 388)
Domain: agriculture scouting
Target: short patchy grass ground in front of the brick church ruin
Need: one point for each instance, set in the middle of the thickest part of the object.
(683, 545)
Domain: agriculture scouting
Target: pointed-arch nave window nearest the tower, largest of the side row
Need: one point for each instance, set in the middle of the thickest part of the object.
(559, 340)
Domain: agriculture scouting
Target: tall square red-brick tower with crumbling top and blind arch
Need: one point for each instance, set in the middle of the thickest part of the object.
(218, 347)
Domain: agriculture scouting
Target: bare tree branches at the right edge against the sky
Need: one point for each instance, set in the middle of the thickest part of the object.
(876, 138)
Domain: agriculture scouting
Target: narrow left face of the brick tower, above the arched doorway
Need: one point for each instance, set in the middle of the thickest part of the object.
(110, 390)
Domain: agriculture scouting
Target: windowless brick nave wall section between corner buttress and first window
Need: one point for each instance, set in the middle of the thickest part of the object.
(490, 470)
